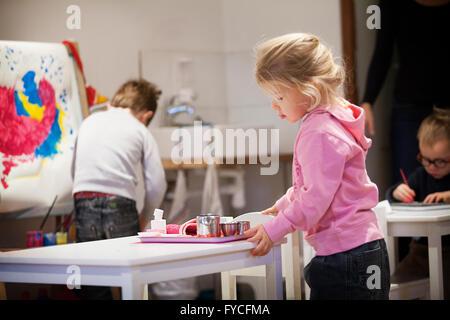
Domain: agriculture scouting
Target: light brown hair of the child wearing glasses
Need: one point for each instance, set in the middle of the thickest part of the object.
(435, 127)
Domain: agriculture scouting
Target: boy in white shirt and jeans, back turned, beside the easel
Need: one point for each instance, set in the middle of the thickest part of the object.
(110, 146)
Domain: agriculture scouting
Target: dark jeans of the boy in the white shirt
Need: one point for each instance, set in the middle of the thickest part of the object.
(104, 218)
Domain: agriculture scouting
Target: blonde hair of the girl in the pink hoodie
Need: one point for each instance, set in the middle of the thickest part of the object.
(299, 60)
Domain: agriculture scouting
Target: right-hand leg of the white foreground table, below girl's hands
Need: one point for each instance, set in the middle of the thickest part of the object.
(274, 277)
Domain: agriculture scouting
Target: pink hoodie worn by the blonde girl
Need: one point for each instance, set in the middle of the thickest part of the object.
(332, 196)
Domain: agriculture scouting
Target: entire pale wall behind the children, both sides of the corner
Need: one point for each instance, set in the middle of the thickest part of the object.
(217, 35)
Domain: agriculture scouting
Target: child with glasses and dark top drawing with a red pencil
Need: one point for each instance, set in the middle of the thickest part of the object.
(429, 183)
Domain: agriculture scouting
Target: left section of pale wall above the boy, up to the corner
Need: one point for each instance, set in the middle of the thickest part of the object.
(112, 32)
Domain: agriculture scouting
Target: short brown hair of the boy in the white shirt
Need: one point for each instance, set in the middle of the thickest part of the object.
(137, 95)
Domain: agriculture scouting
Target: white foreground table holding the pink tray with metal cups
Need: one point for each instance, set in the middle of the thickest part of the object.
(125, 263)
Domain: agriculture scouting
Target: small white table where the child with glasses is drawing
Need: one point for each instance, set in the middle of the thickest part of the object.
(424, 223)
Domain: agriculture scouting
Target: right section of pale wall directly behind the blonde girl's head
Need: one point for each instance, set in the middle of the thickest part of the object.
(249, 22)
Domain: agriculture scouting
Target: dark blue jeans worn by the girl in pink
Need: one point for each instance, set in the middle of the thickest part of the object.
(361, 273)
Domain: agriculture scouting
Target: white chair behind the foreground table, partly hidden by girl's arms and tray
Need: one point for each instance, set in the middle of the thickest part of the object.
(290, 257)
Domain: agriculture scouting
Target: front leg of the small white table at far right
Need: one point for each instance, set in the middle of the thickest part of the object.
(435, 262)
